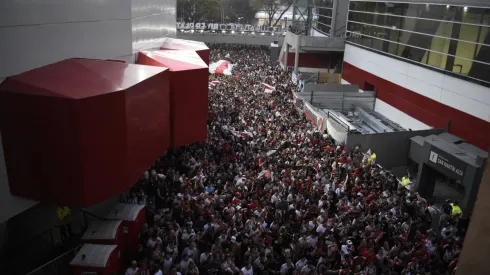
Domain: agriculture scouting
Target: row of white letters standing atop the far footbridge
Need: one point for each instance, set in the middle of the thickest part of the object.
(226, 27)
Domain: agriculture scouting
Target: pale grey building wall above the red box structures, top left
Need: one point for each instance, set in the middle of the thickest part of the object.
(36, 33)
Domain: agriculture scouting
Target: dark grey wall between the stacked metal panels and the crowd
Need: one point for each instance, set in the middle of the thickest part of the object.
(392, 149)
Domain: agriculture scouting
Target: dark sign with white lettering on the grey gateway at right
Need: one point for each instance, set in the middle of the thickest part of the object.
(445, 162)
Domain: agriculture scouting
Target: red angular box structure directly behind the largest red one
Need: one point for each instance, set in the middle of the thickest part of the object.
(188, 93)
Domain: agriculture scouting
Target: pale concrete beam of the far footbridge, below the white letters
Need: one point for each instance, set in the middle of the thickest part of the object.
(246, 39)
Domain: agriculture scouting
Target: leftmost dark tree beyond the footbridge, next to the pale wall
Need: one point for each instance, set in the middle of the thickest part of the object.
(194, 11)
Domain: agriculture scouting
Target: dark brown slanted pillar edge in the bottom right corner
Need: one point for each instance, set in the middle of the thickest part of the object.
(476, 248)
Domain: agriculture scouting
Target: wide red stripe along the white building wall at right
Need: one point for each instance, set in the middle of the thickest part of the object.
(472, 129)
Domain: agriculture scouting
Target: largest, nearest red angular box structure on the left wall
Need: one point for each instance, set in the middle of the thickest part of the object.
(80, 131)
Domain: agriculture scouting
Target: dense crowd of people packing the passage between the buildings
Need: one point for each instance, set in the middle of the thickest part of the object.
(269, 194)
